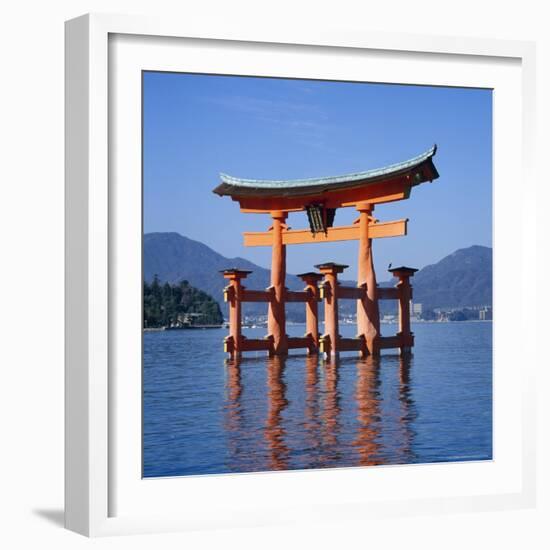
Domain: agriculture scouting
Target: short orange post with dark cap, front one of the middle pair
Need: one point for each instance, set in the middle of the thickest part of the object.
(329, 292)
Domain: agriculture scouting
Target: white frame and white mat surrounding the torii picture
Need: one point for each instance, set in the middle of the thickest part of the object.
(100, 498)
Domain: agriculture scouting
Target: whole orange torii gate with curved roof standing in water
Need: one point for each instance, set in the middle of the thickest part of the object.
(320, 198)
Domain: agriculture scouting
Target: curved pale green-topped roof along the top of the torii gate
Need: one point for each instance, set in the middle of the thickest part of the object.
(420, 168)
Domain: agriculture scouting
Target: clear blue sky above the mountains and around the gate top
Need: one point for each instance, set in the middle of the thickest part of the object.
(196, 126)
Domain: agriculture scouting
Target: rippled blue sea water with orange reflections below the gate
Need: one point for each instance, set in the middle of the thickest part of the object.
(203, 415)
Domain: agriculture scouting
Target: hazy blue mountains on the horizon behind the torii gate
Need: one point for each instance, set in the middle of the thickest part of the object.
(463, 278)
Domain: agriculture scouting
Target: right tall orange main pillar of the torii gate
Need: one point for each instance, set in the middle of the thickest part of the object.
(368, 316)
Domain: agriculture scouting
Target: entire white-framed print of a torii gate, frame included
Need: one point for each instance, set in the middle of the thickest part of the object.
(289, 273)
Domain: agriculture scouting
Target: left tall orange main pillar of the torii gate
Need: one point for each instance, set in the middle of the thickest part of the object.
(276, 319)
